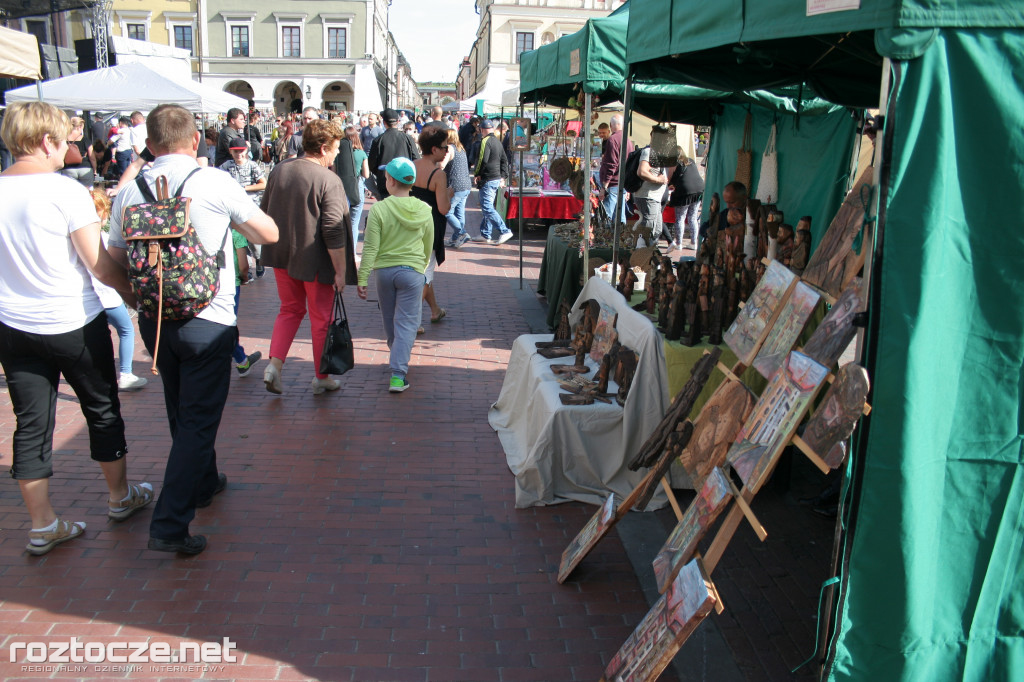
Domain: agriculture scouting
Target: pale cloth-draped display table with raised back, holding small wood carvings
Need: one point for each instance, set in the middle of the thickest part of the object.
(562, 453)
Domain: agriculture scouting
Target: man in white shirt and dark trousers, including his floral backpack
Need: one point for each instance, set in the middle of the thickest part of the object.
(186, 288)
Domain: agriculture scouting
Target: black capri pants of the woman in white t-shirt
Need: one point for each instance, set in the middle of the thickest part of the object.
(33, 365)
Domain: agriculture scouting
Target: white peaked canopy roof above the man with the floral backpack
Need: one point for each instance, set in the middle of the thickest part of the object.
(127, 88)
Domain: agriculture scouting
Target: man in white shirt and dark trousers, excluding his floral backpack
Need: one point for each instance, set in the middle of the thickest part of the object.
(195, 356)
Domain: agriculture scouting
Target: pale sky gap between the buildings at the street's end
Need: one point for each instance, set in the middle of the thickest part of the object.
(435, 36)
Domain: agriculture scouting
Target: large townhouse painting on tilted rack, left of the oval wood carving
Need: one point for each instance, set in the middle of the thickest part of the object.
(776, 417)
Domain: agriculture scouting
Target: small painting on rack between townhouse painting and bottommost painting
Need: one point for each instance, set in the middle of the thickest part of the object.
(678, 549)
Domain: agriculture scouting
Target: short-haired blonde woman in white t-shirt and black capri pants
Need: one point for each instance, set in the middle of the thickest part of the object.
(52, 322)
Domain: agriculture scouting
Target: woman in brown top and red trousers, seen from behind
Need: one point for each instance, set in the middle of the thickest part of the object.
(315, 257)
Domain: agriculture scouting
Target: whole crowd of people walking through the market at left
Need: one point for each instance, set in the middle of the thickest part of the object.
(292, 201)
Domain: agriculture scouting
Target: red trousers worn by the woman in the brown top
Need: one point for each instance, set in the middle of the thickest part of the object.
(296, 296)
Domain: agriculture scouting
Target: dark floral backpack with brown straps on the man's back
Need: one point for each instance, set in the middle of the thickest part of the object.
(172, 274)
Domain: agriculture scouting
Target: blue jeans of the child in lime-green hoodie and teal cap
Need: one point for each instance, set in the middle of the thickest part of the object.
(400, 291)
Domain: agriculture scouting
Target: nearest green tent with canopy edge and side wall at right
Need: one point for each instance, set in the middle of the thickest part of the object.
(930, 583)
